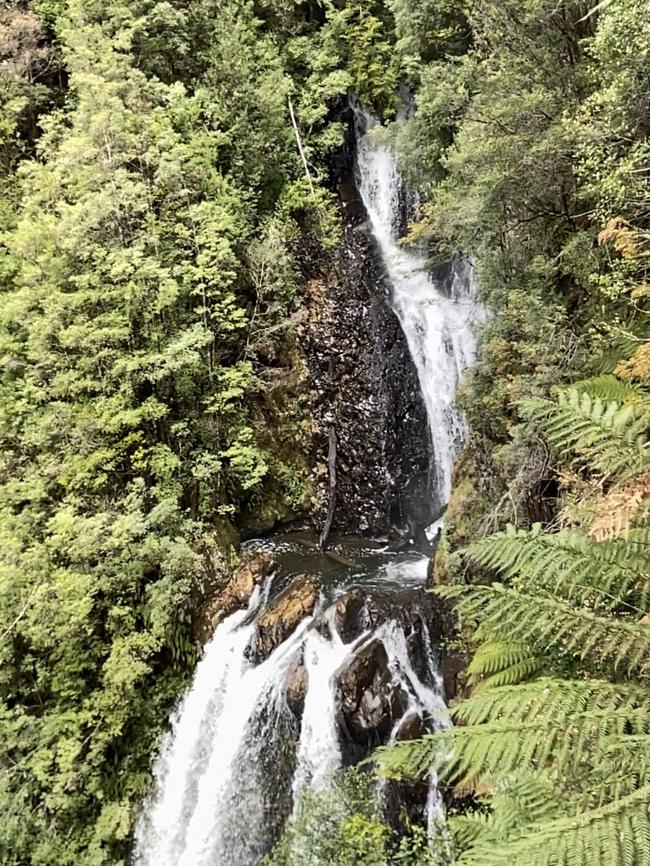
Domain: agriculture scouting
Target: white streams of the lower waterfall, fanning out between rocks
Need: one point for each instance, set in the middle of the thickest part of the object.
(212, 801)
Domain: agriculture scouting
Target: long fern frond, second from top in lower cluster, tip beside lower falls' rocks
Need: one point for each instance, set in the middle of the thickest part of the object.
(546, 622)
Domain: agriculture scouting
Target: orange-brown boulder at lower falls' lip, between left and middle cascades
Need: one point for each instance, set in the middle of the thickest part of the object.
(283, 616)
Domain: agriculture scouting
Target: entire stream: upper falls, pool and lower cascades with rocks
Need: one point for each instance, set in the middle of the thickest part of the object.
(361, 667)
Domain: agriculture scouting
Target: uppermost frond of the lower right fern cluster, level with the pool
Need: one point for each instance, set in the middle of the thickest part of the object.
(609, 572)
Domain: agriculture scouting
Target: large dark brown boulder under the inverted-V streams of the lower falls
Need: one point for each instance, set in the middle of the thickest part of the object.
(369, 701)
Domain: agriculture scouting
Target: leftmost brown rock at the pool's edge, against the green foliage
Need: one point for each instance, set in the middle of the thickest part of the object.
(232, 595)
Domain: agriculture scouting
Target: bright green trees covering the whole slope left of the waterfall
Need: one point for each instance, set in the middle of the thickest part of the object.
(150, 290)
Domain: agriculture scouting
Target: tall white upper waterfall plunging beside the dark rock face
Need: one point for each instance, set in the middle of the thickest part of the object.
(438, 320)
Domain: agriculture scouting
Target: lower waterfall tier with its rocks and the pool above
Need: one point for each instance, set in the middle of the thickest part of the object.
(315, 672)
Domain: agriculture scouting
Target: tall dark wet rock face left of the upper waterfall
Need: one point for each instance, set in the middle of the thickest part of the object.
(365, 385)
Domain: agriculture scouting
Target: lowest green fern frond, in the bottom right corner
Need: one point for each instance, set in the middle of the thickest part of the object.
(616, 834)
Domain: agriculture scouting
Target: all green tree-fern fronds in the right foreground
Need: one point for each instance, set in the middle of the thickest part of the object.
(557, 728)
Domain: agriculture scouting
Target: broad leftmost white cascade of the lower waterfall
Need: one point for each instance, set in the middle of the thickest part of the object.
(208, 806)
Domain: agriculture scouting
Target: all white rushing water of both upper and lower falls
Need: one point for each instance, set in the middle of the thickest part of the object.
(236, 758)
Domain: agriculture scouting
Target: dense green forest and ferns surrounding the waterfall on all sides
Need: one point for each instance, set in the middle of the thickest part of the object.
(169, 190)
